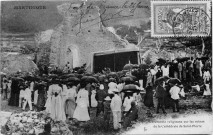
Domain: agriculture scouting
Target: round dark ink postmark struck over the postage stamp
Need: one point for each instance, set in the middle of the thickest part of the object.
(191, 25)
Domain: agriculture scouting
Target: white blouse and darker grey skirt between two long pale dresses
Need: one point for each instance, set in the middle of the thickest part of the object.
(70, 102)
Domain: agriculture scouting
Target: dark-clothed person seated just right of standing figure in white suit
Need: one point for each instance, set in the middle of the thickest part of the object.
(131, 115)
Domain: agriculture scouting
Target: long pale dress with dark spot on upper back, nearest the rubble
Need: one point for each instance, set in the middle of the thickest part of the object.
(56, 105)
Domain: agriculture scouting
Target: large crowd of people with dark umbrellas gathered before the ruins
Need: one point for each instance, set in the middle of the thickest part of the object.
(74, 99)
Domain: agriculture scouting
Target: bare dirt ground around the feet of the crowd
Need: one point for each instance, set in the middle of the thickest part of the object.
(190, 105)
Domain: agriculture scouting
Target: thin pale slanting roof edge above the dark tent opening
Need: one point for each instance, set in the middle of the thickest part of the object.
(123, 50)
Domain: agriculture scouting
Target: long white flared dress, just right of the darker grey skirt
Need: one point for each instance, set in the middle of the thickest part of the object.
(81, 112)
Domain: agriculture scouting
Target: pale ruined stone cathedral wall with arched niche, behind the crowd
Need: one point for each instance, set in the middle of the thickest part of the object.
(80, 34)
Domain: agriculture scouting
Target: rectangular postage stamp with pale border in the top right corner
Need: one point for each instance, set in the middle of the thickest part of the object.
(180, 18)
